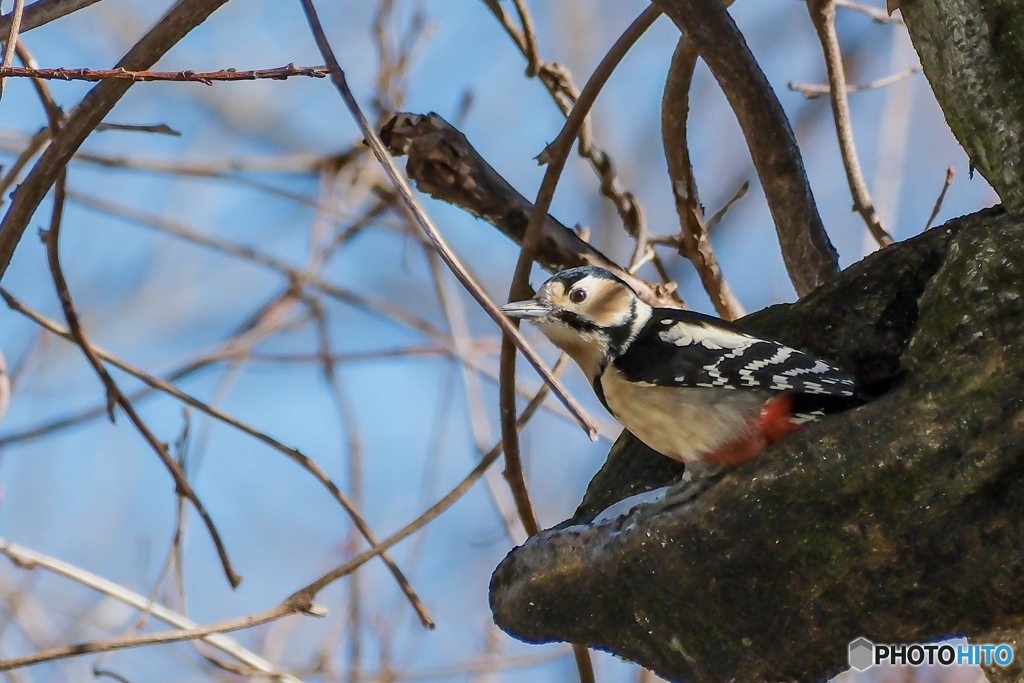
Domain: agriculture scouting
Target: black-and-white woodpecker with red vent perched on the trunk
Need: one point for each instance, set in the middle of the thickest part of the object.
(693, 388)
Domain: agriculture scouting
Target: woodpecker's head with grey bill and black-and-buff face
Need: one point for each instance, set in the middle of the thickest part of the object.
(588, 313)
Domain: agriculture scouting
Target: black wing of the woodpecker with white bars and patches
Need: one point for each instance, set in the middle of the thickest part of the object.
(684, 349)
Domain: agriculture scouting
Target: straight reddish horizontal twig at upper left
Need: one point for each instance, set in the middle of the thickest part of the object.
(188, 76)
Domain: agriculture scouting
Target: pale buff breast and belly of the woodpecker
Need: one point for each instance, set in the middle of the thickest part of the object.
(680, 422)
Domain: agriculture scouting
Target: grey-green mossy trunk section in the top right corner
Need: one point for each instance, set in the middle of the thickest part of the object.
(973, 55)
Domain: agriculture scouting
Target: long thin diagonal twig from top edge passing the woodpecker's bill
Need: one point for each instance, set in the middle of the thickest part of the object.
(402, 185)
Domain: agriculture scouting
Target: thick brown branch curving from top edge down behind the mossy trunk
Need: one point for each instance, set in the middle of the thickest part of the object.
(809, 257)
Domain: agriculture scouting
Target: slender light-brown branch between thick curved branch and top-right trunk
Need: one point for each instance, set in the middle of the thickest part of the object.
(824, 17)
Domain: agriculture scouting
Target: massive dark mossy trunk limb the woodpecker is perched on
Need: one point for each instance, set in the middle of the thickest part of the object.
(903, 521)
